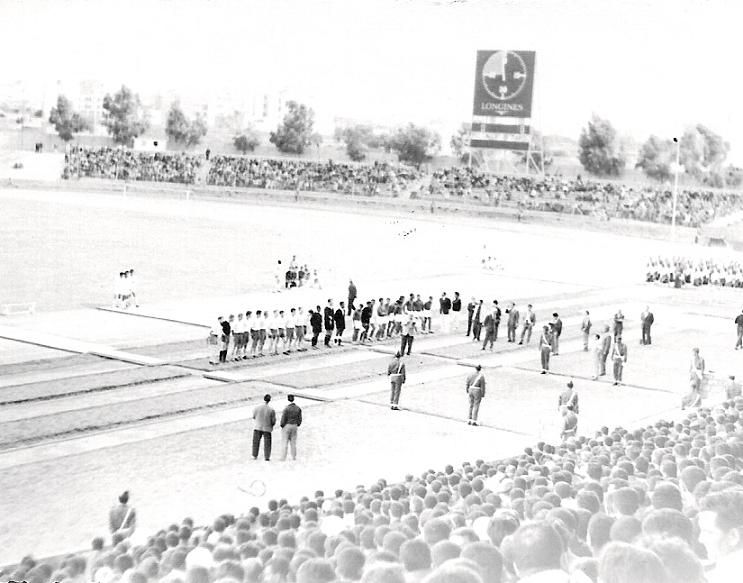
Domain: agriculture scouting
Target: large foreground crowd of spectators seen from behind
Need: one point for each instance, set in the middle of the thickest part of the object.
(658, 504)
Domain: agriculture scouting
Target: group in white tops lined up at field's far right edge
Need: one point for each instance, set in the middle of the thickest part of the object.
(681, 271)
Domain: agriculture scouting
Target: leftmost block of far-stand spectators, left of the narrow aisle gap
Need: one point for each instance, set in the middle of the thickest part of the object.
(125, 164)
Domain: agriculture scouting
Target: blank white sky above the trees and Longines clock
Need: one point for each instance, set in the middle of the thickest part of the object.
(650, 67)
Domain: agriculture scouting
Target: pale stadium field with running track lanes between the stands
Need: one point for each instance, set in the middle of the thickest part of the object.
(93, 402)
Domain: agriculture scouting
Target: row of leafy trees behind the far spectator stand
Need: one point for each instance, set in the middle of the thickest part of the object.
(601, 151)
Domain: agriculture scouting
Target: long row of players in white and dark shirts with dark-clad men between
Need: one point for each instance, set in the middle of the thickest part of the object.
(269, 332)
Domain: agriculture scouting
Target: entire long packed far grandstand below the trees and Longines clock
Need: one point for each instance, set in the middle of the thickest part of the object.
(604, 200)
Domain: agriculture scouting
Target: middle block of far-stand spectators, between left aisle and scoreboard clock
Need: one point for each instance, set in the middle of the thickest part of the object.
(368, 179)
